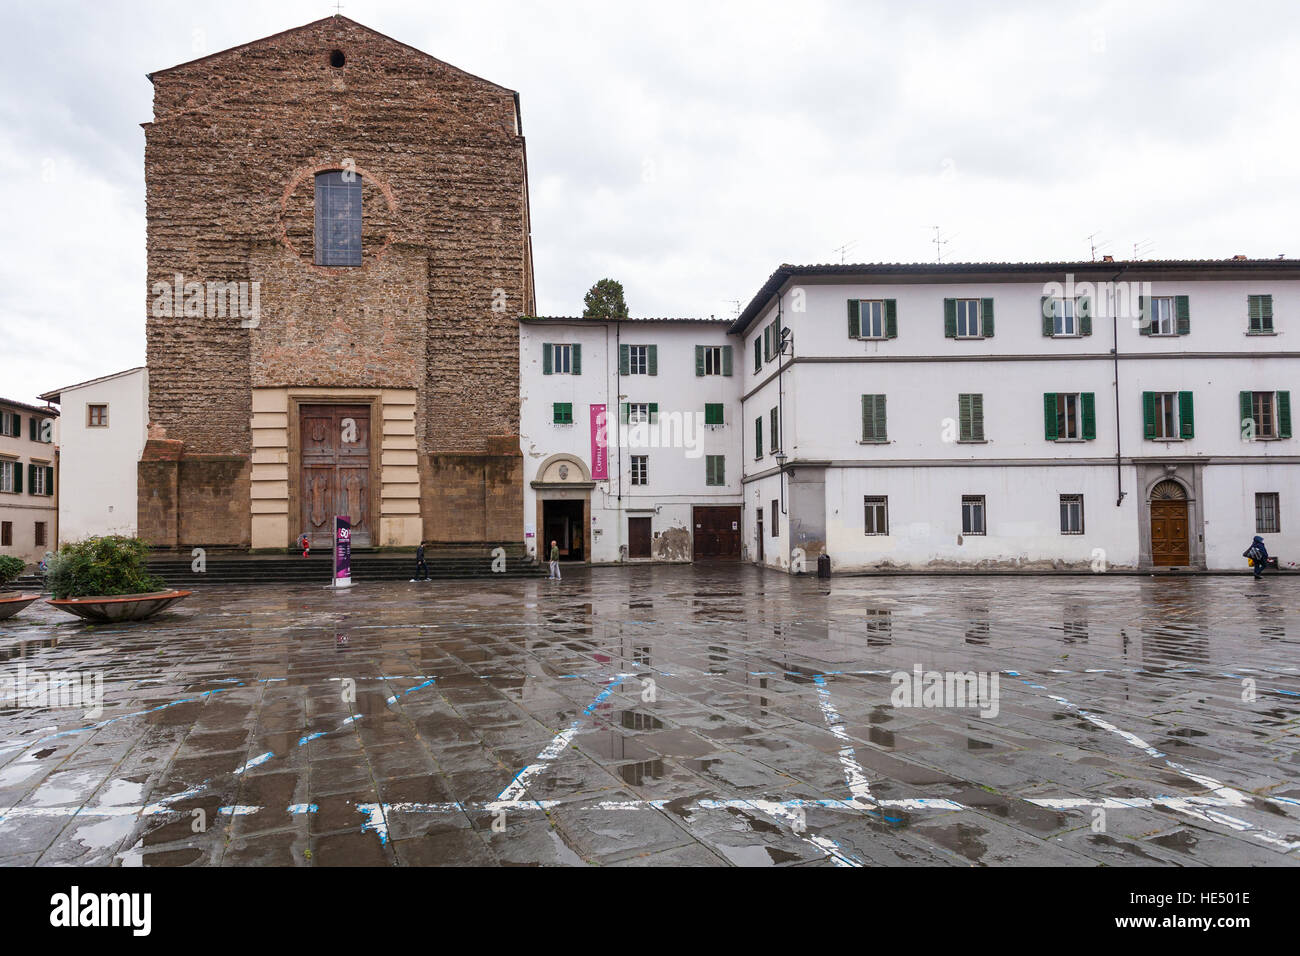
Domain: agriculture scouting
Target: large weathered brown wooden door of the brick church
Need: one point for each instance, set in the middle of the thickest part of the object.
(336, 471)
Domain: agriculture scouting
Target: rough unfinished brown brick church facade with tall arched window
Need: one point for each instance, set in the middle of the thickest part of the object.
(339, 252)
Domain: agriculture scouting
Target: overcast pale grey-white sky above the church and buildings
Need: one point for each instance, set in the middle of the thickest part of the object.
(688, 149)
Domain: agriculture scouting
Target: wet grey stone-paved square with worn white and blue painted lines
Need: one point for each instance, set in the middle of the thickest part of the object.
(665, 716)
